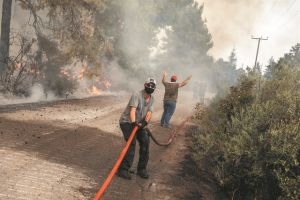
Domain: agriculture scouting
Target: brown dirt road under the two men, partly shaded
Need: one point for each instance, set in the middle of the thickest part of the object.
(65, 149)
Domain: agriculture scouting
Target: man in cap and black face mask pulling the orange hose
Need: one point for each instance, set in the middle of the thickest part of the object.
(137, 113)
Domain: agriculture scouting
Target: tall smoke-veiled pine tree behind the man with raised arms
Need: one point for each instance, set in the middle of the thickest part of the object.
(188, 39)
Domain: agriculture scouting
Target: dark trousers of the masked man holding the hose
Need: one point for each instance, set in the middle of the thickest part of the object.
(143, 139)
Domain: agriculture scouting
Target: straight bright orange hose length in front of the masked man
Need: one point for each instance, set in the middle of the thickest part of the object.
(116, 166)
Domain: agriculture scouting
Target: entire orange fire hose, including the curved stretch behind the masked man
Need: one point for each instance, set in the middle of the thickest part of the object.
(106, 183)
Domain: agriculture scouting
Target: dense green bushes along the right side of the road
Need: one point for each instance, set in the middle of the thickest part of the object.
(249, 139)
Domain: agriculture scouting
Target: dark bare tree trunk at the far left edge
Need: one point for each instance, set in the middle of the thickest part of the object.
(5, 31)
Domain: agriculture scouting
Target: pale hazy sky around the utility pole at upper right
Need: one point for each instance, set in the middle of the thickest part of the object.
(233, 22)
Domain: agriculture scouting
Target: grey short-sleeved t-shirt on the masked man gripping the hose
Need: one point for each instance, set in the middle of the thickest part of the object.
(138, 101)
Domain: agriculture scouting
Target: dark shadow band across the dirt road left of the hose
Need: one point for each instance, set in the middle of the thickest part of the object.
(87, 150)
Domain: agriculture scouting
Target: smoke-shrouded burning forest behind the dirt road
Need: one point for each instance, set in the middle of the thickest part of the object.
(60, 43)
